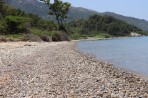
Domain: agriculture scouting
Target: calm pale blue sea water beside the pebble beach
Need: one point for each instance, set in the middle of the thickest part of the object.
(129, 53)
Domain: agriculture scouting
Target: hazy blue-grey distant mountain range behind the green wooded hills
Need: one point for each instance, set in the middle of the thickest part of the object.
(41, 9)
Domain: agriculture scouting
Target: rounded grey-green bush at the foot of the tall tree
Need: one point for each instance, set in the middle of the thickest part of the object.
(60, 36)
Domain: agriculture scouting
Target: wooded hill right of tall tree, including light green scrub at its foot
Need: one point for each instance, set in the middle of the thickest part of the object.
(97, 25)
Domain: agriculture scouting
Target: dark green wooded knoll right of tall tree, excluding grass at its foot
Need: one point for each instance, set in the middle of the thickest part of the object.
(107, 24)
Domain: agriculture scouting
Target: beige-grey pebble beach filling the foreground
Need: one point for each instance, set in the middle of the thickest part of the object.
(59, 70)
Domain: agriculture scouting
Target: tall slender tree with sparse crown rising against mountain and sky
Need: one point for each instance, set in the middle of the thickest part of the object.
(59, 9)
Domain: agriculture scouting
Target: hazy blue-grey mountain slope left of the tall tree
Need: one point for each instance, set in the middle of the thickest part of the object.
(30, 6)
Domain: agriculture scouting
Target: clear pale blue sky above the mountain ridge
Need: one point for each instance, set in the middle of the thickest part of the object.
(133, 8)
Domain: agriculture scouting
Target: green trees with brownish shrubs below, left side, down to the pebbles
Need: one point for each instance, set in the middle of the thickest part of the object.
(26, 26)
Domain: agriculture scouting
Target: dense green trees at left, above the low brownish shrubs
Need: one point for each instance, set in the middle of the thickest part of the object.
(14, 21)
